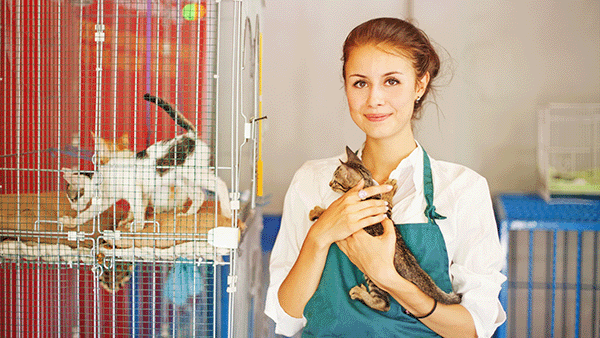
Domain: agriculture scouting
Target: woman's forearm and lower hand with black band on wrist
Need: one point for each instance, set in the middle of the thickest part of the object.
(375, 257)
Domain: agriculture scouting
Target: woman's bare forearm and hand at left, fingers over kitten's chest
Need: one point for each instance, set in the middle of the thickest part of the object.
(342, 218)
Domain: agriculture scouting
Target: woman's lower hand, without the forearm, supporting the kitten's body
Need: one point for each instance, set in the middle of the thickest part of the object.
(374, 256)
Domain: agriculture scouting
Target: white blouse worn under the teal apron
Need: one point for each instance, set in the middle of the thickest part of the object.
(469, 231)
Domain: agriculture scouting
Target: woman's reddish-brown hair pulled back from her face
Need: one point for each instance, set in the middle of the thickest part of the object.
(398, 36)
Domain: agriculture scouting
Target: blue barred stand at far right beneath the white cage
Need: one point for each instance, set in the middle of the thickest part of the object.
(531, 213)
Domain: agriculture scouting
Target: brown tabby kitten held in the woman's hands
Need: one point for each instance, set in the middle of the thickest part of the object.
(346, 176)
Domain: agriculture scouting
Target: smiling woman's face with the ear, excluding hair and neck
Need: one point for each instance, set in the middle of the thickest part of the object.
(381, 89)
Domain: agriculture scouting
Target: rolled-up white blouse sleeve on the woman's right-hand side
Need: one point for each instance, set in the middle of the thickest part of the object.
(478, 259)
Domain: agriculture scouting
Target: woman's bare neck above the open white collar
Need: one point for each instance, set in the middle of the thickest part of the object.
(382, 157)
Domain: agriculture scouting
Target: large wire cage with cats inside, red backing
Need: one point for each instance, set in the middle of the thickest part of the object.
(119, 216)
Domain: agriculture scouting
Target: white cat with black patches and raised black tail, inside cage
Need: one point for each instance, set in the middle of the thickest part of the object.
(179, 165)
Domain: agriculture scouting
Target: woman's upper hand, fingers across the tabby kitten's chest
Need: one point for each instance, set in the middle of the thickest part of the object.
(348, 214)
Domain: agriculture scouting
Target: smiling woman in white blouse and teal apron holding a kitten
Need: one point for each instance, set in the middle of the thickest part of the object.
(388, 67)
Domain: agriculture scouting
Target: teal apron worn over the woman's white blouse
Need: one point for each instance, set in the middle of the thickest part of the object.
(332, 313)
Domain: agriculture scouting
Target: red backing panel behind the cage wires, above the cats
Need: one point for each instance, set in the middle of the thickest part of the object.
(61, 85)
